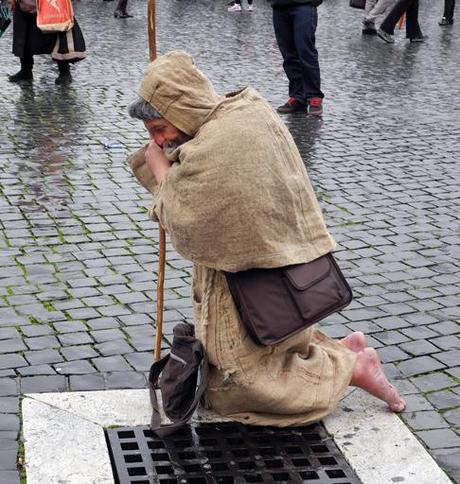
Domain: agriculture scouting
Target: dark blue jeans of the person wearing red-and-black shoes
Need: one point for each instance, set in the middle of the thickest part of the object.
(295, 28)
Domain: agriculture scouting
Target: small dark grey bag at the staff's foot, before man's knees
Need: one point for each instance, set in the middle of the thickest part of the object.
(182, 377)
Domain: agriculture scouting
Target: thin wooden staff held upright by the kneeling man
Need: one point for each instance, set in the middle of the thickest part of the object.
(162, 235)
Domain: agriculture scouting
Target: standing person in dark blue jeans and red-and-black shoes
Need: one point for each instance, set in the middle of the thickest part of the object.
(295, 24)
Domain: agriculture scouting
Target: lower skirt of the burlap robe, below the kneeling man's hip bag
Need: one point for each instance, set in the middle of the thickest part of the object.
(296, 382)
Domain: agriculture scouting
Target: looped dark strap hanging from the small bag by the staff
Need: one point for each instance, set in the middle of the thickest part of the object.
(155, 371)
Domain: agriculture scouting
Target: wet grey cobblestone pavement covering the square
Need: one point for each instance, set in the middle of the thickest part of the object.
(78, 253)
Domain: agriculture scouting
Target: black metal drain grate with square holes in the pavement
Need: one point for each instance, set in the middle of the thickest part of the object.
(227, 453)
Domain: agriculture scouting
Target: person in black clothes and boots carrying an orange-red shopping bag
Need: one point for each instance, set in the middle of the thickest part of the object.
(29, 40)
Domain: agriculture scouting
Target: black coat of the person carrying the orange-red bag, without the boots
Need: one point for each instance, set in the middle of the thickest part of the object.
(29, 40)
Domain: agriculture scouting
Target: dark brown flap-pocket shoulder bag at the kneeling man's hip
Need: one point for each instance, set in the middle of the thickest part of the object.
(275, 304)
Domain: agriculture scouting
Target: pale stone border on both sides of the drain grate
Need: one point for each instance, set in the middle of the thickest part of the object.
(65, 442)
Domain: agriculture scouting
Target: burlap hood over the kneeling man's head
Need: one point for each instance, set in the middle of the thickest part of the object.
(179, 91)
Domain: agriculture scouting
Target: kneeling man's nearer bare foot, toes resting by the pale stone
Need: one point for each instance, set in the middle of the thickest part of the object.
(369, 376)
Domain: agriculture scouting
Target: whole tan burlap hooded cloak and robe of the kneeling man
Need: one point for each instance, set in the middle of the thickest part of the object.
(238, 196)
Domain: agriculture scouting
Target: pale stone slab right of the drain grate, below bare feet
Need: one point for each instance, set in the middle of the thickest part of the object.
(378, 445)
